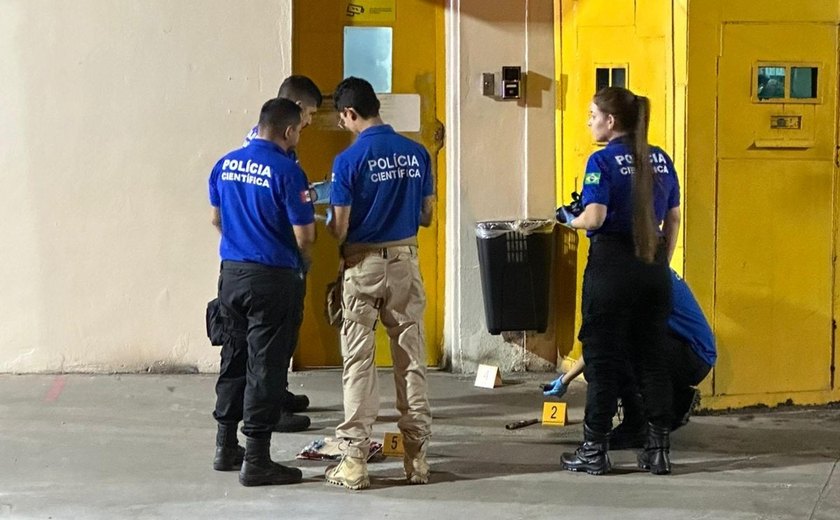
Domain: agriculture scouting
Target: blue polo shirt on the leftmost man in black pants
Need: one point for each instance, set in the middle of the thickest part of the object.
(261, 193)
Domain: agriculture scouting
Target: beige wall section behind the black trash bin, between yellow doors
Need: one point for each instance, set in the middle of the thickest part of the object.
(501, 161)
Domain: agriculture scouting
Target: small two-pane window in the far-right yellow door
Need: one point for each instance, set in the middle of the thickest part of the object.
(786, 83)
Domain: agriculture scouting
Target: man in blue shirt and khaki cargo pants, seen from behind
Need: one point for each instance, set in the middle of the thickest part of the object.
(382, 192)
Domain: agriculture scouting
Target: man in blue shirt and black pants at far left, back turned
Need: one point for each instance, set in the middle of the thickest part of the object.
(261, 207)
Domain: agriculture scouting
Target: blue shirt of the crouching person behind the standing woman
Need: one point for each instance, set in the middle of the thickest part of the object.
(688, 322)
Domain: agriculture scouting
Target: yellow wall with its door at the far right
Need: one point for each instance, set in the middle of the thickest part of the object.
(765, 282)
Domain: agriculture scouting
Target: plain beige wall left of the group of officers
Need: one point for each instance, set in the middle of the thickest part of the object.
(111, 115)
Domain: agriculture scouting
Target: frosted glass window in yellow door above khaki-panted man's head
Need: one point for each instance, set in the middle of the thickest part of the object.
(368, 53)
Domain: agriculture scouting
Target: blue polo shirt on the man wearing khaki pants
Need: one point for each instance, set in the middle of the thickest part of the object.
(384, 177)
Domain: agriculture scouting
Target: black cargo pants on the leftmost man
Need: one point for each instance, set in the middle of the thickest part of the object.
(263, 310)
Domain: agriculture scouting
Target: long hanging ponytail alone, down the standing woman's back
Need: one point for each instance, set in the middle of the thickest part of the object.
(645, 236)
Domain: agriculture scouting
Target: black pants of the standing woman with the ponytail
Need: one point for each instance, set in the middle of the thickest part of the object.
(626, 303)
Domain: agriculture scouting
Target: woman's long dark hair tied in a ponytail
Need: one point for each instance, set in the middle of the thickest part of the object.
(632, 115)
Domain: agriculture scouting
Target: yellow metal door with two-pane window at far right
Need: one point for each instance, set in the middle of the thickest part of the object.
(775, 171)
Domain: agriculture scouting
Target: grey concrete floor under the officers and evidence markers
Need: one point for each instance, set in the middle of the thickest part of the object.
(140, 446)
